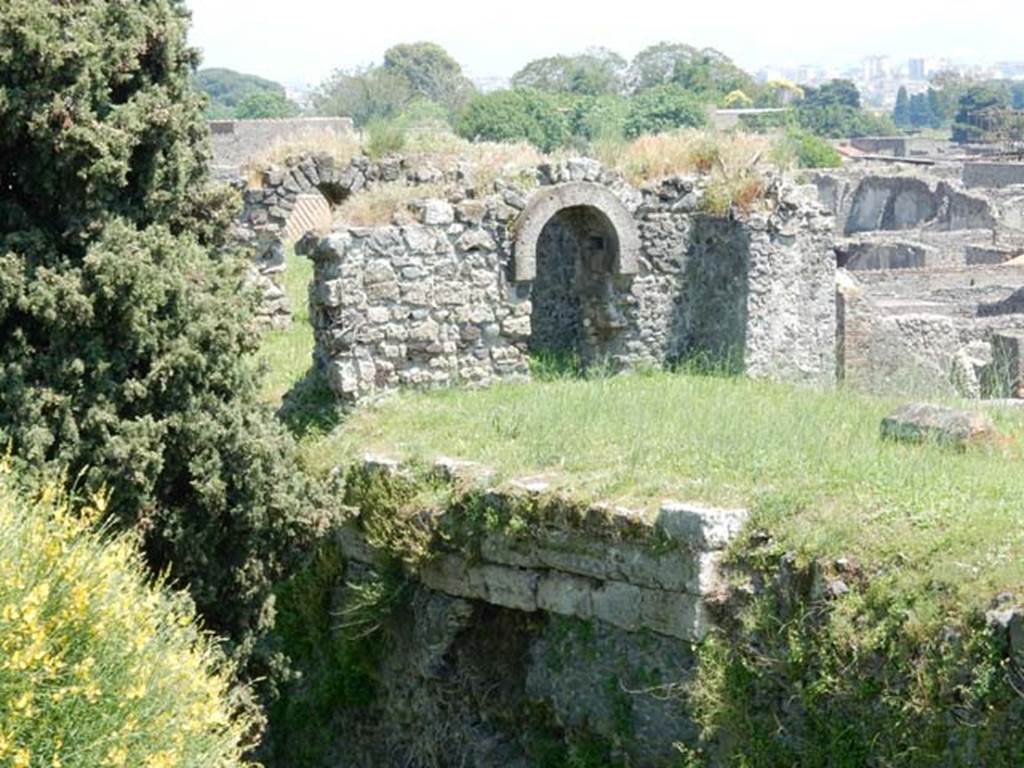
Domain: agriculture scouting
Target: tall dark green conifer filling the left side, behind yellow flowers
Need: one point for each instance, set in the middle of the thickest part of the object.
(129, 340)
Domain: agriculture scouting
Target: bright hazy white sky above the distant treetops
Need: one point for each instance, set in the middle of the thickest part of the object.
(303, 41)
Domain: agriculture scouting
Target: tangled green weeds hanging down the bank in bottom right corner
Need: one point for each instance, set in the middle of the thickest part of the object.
(801, 675)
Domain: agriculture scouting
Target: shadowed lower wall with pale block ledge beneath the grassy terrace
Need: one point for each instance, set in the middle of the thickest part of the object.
(583, 617)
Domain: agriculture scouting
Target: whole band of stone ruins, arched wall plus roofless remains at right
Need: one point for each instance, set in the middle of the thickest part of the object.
(904, 280)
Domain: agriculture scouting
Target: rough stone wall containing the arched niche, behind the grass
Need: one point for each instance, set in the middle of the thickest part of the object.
(614, 275)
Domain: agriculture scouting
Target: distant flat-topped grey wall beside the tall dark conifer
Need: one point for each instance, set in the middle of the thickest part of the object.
(236, 143)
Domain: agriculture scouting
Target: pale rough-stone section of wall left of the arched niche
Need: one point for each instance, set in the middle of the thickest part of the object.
(421, 305)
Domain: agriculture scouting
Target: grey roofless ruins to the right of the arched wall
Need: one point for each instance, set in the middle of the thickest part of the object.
(930, 280)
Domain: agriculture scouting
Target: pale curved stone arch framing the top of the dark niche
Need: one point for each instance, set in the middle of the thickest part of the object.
(604, 205)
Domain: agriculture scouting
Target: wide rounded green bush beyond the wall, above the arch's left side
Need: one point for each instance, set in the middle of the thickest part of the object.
(516, 116)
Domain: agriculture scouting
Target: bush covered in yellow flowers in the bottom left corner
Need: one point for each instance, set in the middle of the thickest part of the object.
(99, 668)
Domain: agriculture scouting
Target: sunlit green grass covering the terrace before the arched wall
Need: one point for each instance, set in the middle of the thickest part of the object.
(809, 464)
